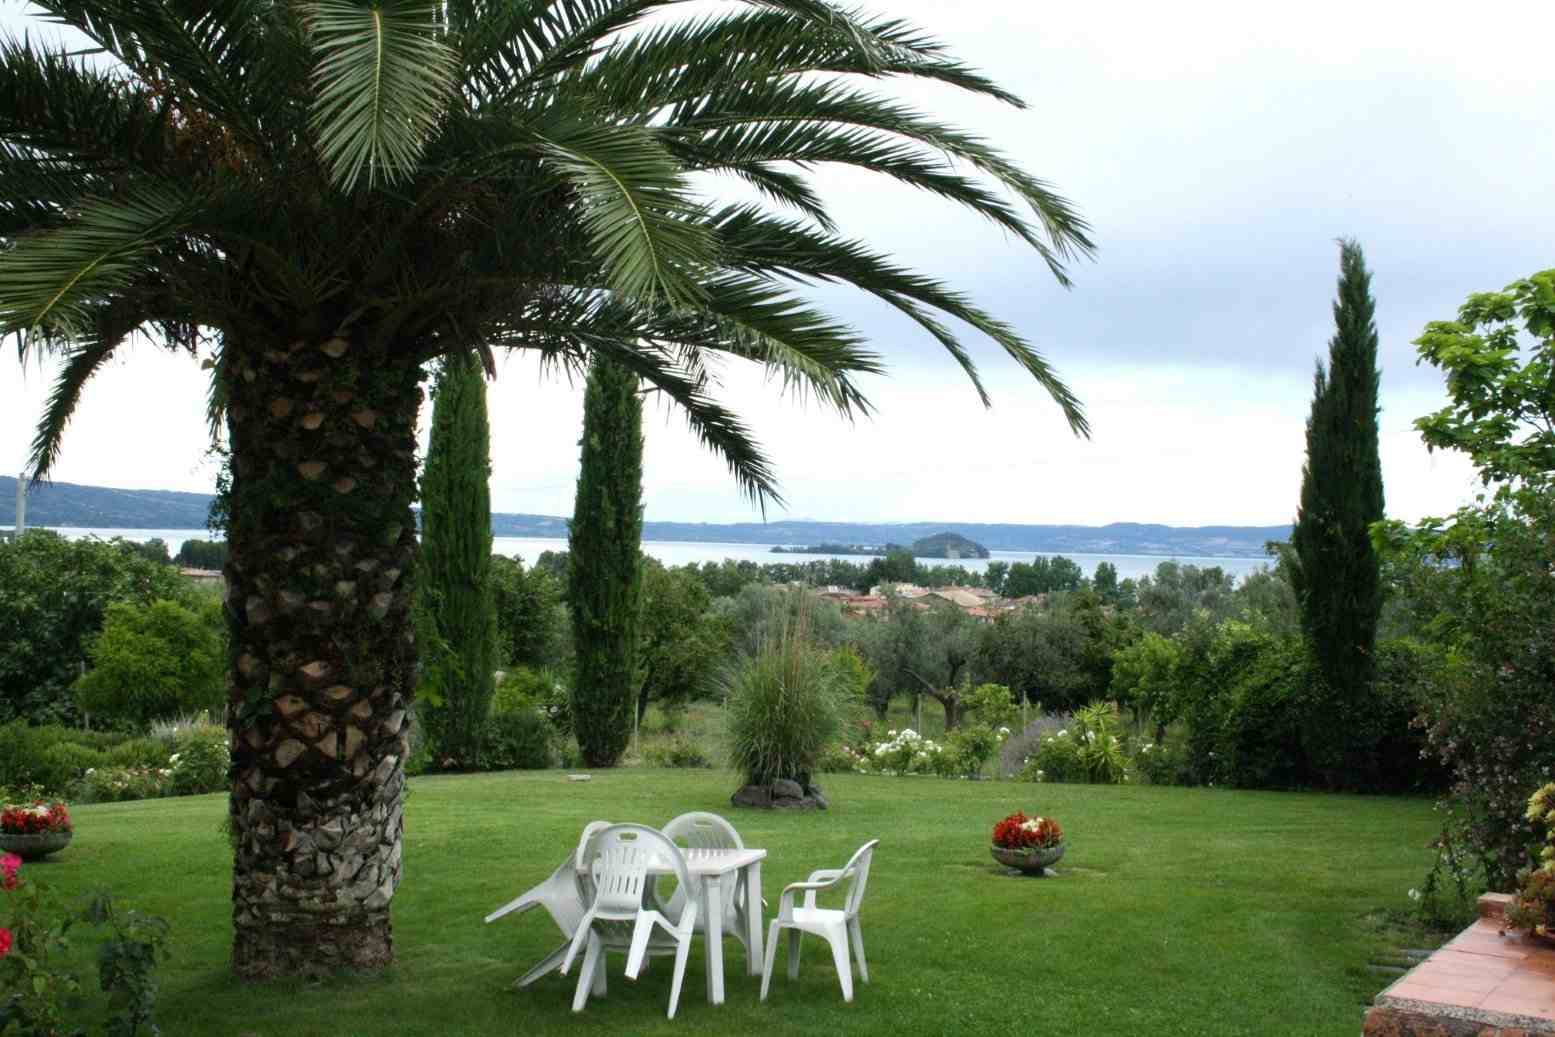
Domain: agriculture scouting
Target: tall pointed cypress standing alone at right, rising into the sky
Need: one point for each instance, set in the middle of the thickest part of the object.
(1337, 576)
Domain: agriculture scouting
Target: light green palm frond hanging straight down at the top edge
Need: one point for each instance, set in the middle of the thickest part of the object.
(382, 82)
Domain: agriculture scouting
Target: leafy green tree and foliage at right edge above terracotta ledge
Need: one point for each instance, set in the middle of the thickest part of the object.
(1478, 582)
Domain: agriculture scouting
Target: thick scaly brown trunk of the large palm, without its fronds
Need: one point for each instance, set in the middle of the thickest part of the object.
(323, 553)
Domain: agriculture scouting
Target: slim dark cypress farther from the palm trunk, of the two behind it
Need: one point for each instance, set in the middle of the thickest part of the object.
(604, 564)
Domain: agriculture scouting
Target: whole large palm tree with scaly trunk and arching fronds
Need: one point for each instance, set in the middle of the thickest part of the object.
(330, 194)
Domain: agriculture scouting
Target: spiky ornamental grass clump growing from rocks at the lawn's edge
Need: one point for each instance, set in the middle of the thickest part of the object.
(784, 705)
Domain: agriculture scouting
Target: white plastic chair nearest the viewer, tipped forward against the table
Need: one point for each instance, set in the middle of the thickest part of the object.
(620, 859)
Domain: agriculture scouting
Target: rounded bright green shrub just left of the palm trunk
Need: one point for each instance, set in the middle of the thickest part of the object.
(155, 662)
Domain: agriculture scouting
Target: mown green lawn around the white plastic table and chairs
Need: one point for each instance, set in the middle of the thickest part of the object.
(1178, 912)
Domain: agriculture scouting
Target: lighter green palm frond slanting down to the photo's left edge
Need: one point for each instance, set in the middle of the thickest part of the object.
(52, 279)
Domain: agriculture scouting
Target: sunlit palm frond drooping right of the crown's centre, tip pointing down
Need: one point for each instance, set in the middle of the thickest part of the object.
(637, 209)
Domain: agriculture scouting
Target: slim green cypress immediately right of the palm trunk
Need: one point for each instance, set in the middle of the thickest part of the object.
(456, 560)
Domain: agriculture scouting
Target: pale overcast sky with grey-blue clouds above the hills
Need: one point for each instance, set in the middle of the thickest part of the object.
(1218, 152)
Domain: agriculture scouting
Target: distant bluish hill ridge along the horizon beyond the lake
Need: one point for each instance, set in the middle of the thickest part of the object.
(103, 508)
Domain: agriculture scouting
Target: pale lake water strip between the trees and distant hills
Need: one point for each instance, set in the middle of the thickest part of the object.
(682, 553)
